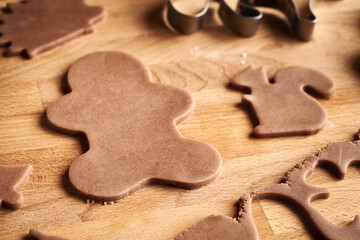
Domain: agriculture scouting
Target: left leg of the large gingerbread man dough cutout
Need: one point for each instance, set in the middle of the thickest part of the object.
(101, 176)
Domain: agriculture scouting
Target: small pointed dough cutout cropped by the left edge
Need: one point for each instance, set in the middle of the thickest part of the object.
(11, 179)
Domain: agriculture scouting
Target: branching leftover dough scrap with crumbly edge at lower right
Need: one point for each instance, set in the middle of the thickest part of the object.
(295, 189)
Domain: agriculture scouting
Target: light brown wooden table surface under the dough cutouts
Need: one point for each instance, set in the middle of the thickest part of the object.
(203, 64)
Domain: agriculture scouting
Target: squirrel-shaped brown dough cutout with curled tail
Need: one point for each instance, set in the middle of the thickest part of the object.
(283, 107)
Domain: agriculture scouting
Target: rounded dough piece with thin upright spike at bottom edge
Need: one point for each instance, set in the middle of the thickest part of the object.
(217, 227)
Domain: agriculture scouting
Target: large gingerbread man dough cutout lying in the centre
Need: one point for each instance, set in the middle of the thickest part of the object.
(130, 124)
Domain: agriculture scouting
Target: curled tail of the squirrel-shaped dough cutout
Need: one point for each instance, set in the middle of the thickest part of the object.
(301, 77)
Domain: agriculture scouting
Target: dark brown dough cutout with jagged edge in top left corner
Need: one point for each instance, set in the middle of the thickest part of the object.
(39, 25)
